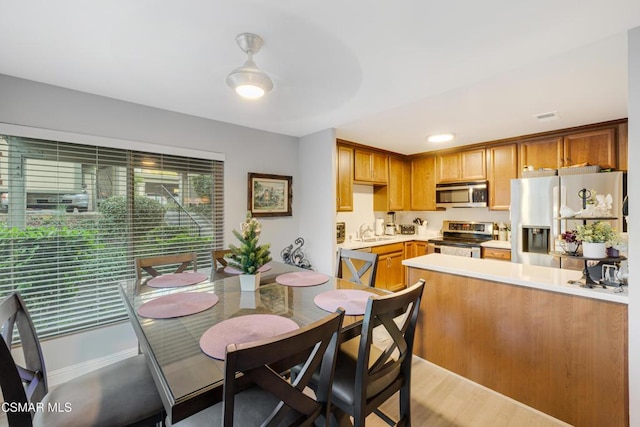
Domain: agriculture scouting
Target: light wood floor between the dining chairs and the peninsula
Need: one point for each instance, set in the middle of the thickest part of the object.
(440, 398)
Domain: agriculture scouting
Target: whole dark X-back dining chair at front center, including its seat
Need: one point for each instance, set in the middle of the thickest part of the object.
(262, 395)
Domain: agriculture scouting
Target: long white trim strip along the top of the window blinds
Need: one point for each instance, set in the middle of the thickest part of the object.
(101, 141)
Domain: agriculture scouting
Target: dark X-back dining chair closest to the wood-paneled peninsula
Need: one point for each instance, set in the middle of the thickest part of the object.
(369, 369)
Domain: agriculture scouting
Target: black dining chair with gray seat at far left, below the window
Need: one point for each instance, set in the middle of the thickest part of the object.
(119, 394)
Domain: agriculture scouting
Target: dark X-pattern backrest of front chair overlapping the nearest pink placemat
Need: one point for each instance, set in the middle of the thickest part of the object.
(261, 363)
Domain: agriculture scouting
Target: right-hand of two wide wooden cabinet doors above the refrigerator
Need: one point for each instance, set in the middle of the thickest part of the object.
(594, 148)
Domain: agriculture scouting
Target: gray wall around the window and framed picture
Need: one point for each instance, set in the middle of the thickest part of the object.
(36, 105)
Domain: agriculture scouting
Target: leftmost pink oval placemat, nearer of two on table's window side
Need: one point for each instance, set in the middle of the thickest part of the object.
(176, 305)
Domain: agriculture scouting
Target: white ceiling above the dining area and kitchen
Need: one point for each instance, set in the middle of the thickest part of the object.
(383, 73)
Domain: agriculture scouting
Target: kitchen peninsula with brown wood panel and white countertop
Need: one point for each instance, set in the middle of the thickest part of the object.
(522, 331)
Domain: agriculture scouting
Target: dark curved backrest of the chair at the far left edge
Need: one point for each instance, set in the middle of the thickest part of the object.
(20, 384)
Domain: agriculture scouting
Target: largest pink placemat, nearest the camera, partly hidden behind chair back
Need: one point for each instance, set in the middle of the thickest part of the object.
(242, 329)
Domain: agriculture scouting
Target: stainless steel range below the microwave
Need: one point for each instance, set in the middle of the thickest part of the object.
(462, 238)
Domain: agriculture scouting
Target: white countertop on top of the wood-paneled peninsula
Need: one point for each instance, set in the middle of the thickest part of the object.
(532, 276)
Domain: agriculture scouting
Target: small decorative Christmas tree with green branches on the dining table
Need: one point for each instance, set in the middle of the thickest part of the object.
(249, 256)
